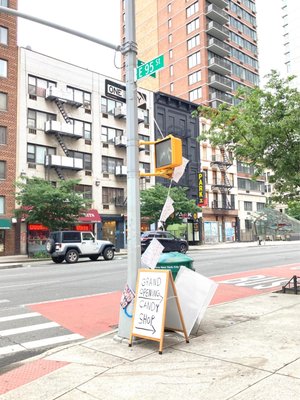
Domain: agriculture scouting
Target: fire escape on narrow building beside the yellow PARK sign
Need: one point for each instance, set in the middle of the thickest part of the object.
(221, 182)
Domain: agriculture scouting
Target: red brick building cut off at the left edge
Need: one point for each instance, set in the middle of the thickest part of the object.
(9, 229)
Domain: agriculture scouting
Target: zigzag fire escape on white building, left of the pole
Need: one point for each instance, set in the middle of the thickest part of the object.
(58, 163)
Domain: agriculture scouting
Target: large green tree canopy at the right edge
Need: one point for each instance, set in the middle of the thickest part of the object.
(263, 128)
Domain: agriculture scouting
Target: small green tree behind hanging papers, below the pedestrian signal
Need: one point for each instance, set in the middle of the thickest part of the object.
(153, 200)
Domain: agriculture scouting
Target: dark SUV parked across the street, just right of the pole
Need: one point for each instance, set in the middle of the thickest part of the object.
(169, 241)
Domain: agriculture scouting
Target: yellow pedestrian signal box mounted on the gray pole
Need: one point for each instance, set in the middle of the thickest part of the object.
(167, 153)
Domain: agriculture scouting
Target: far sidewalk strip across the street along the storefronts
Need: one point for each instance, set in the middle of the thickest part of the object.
(18, 260)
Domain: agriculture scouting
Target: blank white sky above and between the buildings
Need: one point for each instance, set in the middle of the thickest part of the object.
(101, 19)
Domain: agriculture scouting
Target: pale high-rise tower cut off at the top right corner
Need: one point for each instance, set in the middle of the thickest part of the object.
(291, 38)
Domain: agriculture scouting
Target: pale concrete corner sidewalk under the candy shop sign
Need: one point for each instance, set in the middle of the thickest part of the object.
(244, 350)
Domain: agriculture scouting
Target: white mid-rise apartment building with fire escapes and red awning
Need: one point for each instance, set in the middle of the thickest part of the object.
(72, 124)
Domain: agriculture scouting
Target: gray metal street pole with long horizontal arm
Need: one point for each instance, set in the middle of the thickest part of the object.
(133, 194)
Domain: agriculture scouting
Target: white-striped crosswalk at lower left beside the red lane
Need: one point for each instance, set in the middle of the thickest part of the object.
(26, 331)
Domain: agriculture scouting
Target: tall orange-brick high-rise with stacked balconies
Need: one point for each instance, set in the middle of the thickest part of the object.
(209, 47)
